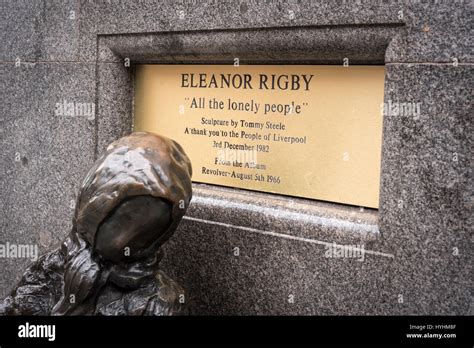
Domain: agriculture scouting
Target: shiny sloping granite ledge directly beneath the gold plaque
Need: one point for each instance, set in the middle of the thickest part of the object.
(286, 217)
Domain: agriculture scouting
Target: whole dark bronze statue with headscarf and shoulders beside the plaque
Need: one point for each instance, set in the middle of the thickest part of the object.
(130, 203)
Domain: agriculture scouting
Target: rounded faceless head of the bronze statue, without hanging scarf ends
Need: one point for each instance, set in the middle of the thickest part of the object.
(134, 196)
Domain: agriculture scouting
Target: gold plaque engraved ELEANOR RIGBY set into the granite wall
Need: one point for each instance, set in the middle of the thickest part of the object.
(312, 131)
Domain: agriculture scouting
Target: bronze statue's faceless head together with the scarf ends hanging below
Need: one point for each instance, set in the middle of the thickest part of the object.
(130, 203)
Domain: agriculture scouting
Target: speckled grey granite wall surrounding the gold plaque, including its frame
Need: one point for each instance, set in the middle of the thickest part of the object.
(419, 243)
